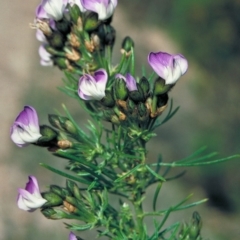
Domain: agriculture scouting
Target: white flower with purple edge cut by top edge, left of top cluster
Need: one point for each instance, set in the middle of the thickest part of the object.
(51, 9)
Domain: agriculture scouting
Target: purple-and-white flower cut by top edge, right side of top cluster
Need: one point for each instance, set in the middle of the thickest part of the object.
(104, 8)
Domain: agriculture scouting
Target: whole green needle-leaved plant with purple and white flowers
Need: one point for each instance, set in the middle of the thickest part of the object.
(111, 157)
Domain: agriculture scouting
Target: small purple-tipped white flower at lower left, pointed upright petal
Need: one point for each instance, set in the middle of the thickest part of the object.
(30, 199)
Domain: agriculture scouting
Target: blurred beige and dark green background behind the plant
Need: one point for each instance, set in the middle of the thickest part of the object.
(207, 33)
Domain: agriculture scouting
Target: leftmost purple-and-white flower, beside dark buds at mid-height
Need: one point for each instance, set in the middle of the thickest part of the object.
(25, 129)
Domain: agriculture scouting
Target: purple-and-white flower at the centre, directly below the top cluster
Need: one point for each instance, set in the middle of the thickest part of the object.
(93, 87)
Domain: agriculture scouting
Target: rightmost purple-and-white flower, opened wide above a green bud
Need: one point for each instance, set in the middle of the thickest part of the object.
(167, 66)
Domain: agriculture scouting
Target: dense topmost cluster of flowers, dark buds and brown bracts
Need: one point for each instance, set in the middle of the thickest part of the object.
(71, 30)
